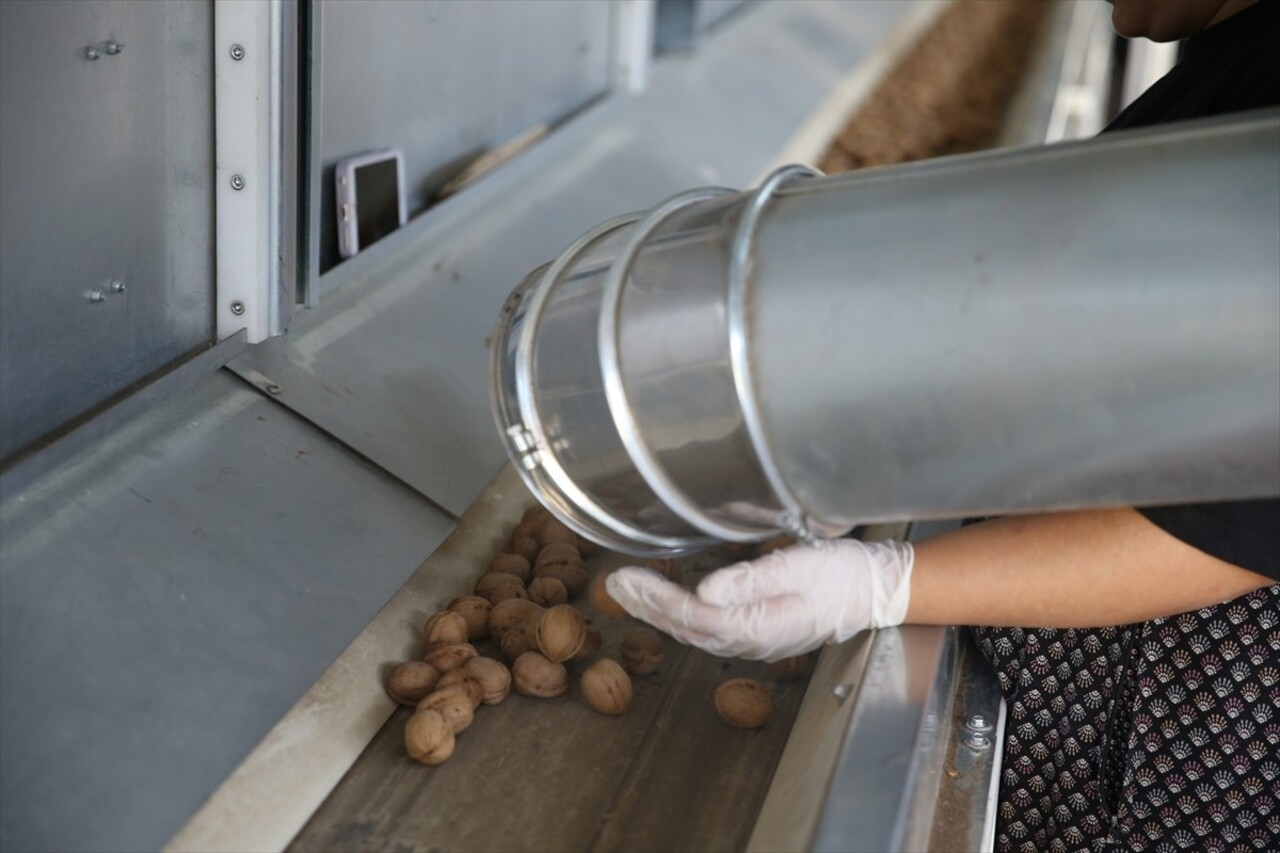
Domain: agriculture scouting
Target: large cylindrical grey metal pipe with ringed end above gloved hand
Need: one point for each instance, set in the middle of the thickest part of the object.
(1030, 330)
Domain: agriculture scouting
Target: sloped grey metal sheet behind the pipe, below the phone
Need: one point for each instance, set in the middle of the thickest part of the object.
(395, 363)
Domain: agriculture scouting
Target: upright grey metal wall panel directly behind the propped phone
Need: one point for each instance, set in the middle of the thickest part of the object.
(444, 80)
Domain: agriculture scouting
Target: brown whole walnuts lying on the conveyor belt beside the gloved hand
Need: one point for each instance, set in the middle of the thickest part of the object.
(522, 605)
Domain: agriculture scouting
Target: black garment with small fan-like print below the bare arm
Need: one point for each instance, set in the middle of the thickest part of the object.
(1156, 737)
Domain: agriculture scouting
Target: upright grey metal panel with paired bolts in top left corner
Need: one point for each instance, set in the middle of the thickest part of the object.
(106, 166)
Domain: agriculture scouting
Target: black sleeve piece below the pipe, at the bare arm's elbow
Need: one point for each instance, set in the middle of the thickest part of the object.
(1245, 533)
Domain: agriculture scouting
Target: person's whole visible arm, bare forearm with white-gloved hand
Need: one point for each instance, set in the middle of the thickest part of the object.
(1063, 571)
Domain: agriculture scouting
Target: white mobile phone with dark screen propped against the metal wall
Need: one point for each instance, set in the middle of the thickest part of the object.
(371, 193)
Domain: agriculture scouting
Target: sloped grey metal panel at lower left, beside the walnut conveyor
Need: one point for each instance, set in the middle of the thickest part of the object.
(168, 596)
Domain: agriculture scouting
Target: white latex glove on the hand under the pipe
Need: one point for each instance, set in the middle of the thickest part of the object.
(784, 604)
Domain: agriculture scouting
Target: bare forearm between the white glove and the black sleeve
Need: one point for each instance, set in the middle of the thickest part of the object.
(1066, 571)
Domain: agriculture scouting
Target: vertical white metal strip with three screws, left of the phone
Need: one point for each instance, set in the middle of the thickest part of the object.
(248, 122)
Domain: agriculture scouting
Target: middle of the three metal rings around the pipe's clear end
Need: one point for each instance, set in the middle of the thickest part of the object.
(615, 389)
